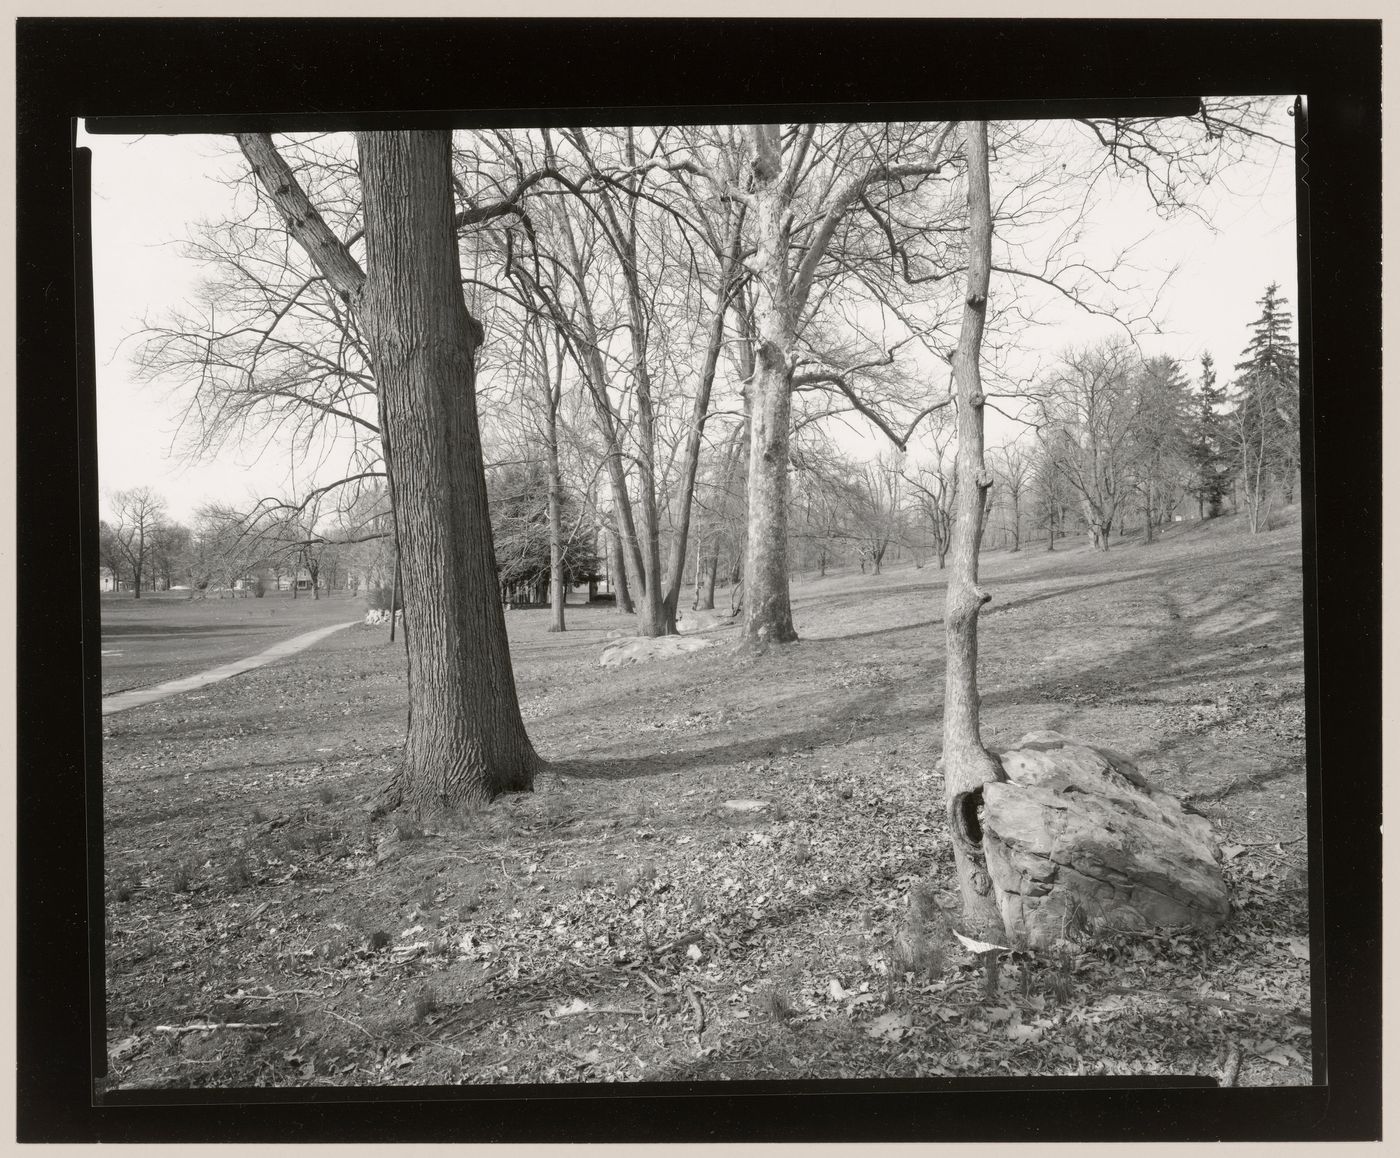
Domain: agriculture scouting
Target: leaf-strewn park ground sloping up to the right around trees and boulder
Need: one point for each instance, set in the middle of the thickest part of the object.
(624, 923)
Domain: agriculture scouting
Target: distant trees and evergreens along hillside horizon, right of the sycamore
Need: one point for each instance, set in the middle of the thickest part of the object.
(1118, 443)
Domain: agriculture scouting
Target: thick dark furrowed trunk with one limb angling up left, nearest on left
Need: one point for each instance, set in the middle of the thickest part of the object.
(465, 739)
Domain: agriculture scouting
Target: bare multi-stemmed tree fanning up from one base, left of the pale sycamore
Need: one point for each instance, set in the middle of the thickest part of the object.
(619, 229)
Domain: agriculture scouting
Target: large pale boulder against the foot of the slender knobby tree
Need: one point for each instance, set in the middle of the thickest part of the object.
(1074, 837)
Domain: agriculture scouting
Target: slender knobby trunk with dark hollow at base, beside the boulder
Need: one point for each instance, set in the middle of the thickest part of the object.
(967, 764)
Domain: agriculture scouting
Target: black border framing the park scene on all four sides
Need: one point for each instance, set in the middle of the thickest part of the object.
(198, 75)
